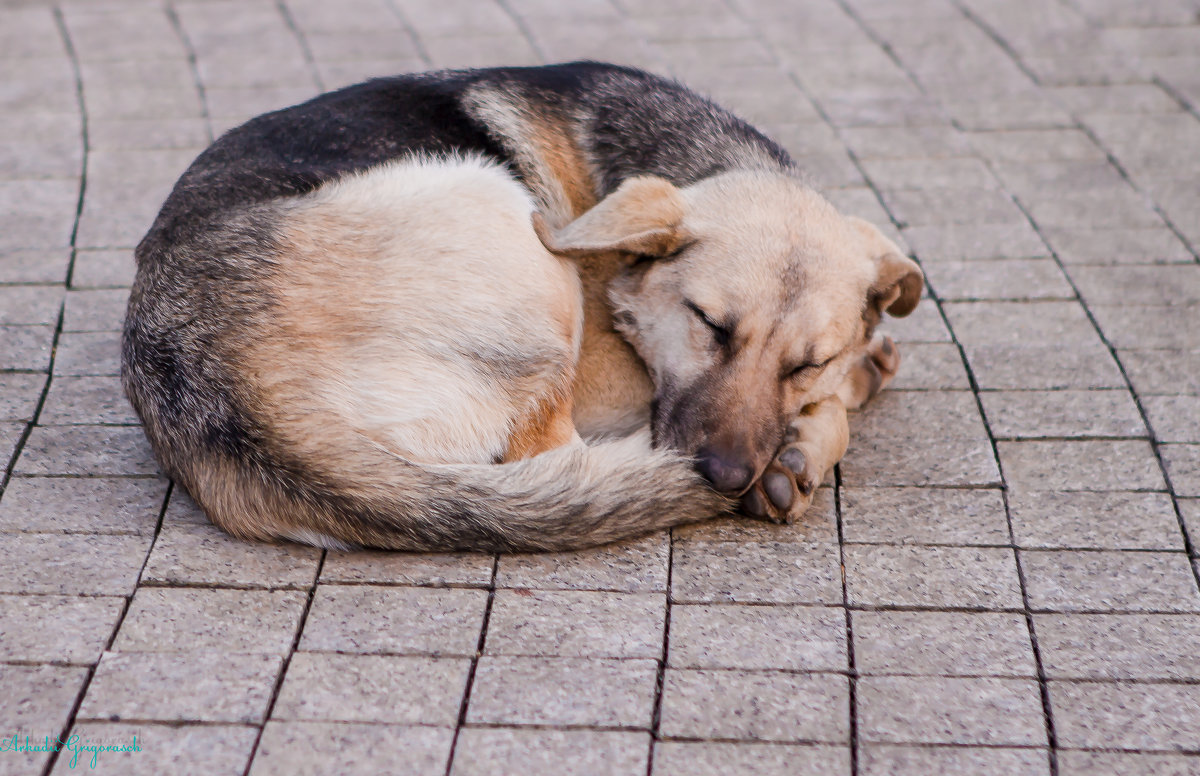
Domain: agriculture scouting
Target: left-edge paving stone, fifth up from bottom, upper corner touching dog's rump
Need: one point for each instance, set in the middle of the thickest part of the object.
(94, 506)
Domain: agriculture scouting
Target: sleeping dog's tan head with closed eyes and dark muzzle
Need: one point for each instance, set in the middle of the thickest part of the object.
(748, 297)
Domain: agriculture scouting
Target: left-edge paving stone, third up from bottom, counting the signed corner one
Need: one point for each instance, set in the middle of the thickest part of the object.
(57, 629)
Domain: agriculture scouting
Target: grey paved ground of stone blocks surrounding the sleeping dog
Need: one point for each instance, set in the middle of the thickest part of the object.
(1001, 582)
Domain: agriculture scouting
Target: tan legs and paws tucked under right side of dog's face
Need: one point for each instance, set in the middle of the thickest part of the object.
(818, 440)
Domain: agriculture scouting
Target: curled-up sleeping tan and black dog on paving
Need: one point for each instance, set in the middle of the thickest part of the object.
(532, 309)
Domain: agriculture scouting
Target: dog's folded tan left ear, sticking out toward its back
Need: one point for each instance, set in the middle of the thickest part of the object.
(643, 218)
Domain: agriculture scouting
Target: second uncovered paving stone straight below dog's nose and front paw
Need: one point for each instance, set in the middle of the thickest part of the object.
(758, 637)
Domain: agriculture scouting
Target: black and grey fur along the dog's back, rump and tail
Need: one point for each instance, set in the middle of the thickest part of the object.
(206, 263)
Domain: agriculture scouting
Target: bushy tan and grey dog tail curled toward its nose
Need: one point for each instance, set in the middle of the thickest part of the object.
(573, 497)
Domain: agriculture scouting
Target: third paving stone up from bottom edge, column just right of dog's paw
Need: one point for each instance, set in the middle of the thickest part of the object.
(943, 643)
